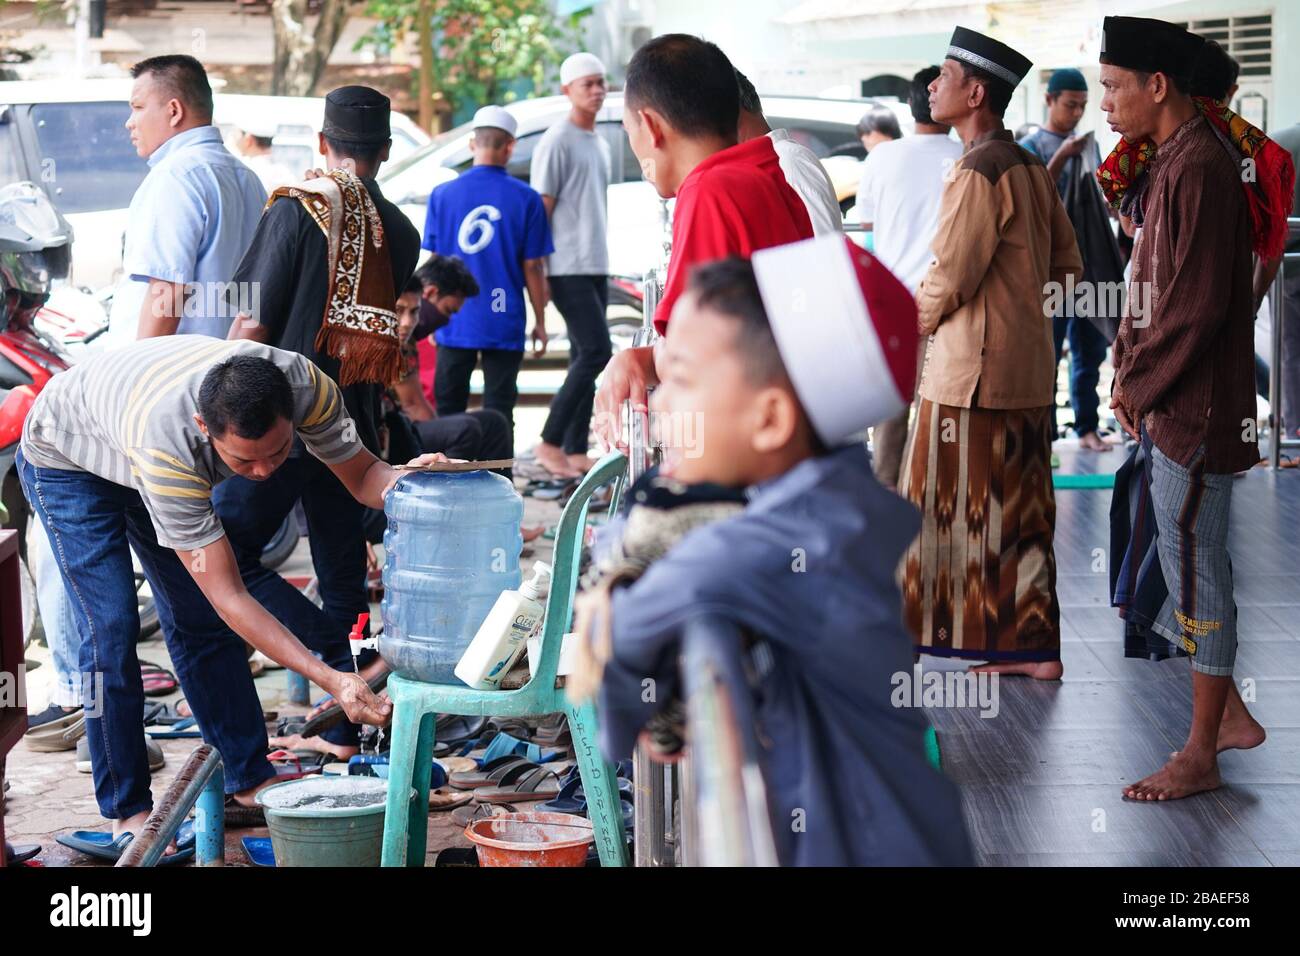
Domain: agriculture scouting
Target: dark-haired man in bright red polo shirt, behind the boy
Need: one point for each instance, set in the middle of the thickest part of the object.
(681, 109)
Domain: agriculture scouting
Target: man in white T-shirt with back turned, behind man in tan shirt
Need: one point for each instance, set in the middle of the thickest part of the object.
(903, 183)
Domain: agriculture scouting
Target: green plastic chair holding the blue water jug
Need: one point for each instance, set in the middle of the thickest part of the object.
(417, 706)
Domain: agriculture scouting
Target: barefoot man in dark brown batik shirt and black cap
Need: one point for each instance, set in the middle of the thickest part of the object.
(1185, 373)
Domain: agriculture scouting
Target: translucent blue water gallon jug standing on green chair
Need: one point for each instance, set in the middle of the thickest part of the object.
(452, 547)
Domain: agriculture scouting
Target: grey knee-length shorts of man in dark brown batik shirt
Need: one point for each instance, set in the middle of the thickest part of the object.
(1191, 514)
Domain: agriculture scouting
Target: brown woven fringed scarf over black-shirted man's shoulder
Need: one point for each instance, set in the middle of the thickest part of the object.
(359, 327)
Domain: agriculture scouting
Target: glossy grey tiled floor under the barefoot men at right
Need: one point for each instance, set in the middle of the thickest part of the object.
(1042, 781)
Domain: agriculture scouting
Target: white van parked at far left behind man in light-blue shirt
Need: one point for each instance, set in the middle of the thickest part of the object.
(70, 137)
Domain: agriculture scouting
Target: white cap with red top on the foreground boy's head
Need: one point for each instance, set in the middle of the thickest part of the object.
(847, 331)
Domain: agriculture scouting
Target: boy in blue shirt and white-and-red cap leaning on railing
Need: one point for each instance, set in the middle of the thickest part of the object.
(804, 566)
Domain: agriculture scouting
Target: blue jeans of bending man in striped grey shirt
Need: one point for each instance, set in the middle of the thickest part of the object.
(94, 525)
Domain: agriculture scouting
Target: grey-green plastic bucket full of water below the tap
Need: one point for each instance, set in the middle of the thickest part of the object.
(327, 821)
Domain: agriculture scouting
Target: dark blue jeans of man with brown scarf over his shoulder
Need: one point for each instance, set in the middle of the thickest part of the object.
(252, 513)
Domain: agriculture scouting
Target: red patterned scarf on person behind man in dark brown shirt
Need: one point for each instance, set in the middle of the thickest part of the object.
(1269, 192)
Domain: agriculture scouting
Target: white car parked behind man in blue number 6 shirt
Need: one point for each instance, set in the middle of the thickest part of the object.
(635, 235)
